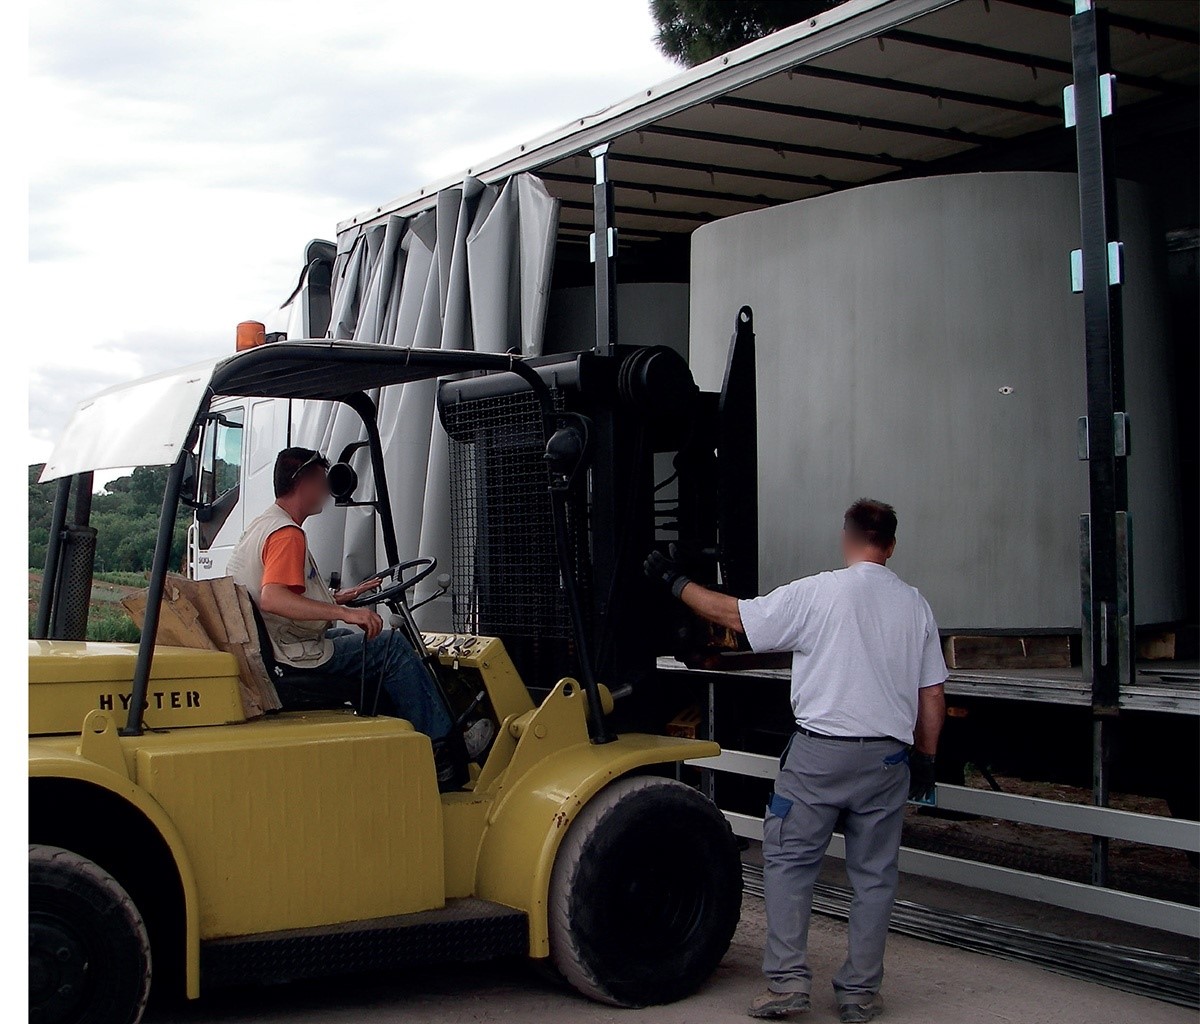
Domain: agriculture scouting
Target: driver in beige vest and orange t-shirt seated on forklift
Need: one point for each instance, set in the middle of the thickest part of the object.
(326, 666)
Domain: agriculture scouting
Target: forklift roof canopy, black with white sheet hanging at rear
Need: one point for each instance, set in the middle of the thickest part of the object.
(147, 423)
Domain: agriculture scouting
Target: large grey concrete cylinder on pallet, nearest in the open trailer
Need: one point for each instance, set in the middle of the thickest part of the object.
(920, 343)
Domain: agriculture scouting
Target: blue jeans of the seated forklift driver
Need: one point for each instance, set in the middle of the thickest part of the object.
(406, 692)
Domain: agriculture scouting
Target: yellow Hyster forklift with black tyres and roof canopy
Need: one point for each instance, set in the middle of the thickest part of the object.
(181, 834)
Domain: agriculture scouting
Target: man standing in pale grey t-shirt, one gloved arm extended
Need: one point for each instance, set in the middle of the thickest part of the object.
(869, 702)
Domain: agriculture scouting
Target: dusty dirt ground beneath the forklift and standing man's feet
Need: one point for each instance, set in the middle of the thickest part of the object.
(926, 984)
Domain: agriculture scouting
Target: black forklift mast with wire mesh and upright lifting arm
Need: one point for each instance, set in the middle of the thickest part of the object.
(637, 408)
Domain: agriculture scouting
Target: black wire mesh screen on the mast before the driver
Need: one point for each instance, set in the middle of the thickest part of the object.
(507, 580)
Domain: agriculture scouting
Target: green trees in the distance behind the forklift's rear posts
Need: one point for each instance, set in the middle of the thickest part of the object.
(125, 518)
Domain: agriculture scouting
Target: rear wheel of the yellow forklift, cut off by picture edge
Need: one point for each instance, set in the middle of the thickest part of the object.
(89, 955)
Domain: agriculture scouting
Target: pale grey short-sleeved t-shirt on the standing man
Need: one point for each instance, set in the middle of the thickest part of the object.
(863, 643)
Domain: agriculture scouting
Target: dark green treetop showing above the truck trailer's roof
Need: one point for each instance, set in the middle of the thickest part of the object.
(692, 32)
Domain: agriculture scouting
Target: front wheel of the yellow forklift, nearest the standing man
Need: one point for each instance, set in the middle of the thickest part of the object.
(645, 895)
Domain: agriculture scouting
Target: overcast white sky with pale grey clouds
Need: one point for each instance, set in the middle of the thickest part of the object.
(183, 153)
